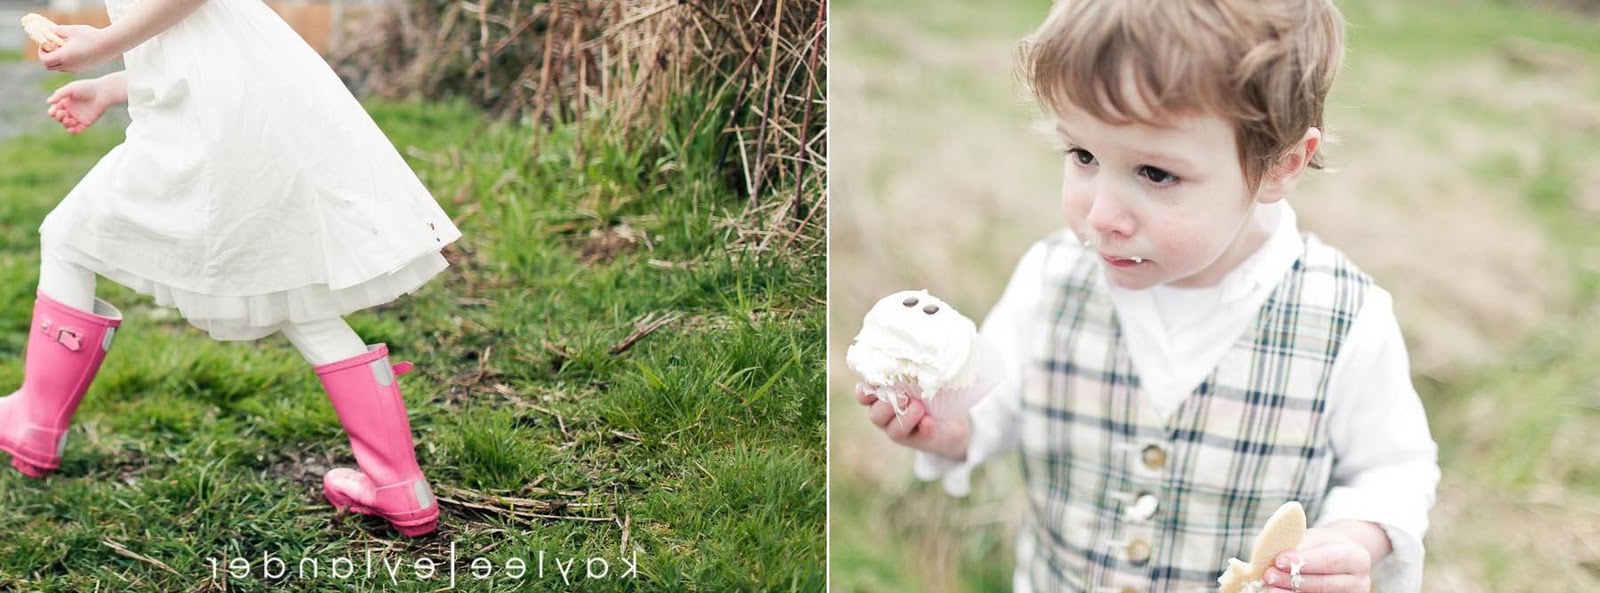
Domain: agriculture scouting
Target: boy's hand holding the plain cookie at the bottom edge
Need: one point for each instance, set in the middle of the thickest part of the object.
(1332, 563)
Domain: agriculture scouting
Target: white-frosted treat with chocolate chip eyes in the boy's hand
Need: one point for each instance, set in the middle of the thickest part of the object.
(914, 344)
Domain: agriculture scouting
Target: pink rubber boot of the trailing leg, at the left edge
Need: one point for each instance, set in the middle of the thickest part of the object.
(65, 351)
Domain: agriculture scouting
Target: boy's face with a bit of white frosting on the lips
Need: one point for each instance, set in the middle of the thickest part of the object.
(1159, 205)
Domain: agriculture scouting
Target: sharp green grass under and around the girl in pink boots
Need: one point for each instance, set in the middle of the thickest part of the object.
(703, 444)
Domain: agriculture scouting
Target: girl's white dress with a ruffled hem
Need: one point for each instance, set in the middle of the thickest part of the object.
(252, 188)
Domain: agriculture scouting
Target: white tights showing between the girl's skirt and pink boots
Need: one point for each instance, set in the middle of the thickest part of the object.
(321, 343)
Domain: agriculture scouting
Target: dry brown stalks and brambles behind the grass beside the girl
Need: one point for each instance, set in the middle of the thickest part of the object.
(762, 62)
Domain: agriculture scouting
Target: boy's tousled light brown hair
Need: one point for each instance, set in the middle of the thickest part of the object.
(1263, 65)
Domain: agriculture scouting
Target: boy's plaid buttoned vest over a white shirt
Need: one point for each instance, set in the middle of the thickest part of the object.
(1126, 501)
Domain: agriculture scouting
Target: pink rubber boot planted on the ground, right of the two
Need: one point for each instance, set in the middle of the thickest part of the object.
(390, 485)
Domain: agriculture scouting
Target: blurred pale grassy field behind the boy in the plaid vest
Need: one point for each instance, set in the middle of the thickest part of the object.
(1463, 185)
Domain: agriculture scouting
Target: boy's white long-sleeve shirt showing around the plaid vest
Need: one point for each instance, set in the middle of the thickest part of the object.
(1386, 466)
